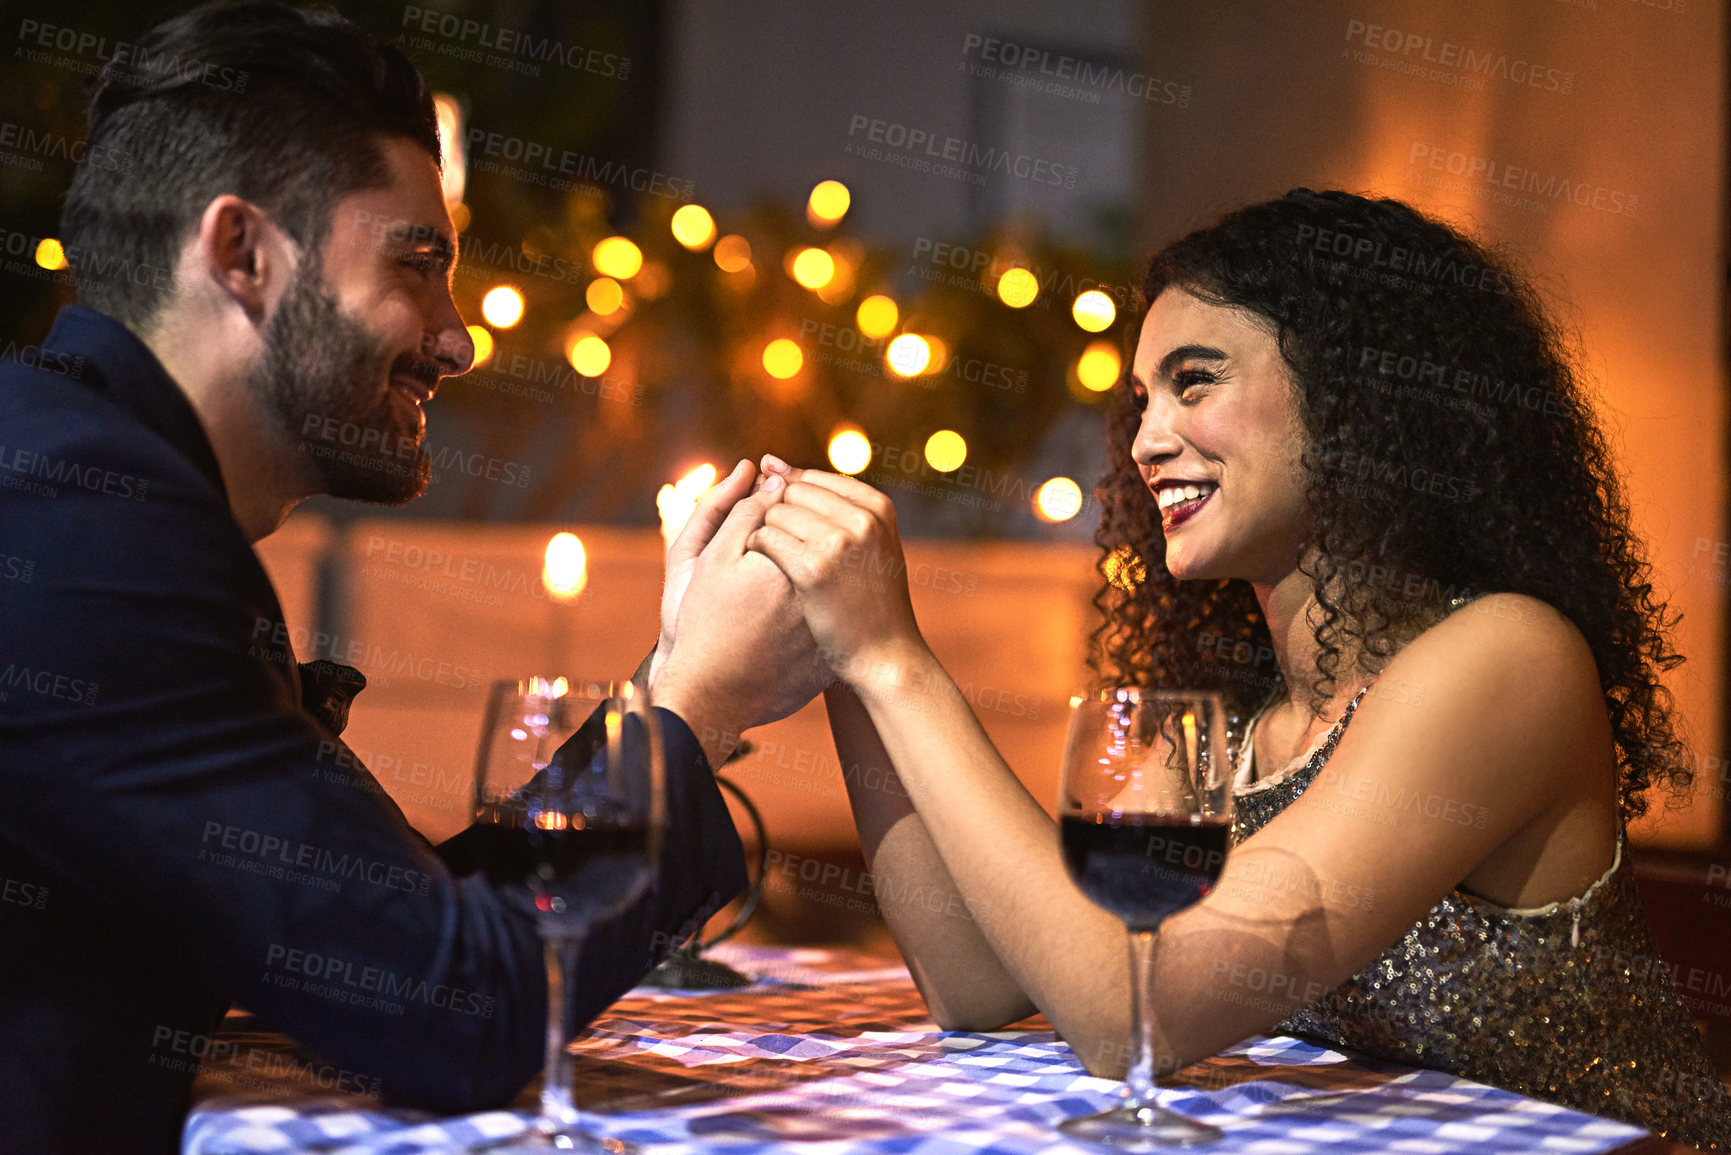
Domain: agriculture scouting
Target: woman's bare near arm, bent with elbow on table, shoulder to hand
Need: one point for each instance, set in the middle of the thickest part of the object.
(1505, 721)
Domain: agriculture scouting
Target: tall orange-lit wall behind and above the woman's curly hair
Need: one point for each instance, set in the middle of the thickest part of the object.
(1630, 106)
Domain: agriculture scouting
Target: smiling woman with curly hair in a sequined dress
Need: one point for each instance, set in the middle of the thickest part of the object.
(1351, 441)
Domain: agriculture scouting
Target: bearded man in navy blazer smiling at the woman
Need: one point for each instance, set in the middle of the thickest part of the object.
(264, 311)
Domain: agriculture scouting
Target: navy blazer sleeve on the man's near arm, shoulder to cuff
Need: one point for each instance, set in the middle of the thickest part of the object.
(169, 778)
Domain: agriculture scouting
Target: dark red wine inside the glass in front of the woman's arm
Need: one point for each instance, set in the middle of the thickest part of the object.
(1145, 867)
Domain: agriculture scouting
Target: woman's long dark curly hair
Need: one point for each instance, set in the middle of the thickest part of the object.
(1450, 449)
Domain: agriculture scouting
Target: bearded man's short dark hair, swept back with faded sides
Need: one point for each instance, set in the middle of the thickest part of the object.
(274, 105)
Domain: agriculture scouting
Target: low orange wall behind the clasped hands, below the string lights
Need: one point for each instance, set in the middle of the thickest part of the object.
(435, 612)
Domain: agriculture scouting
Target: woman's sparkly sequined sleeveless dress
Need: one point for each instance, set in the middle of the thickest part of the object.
(1564, 1003)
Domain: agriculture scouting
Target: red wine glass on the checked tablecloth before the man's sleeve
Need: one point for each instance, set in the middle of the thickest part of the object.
(570, 799)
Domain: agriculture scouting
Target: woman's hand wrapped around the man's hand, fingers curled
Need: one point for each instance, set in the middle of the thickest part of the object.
(835, 539)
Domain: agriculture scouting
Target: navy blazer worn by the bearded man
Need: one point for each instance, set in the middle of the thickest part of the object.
(179, 834)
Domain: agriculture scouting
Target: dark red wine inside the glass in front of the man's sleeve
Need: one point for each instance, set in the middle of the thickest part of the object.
(576, 875)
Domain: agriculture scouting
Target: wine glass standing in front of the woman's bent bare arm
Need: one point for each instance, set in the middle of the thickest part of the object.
(1145, 811)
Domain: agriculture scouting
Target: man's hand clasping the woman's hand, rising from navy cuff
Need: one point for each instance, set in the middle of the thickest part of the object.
(743, 655)
